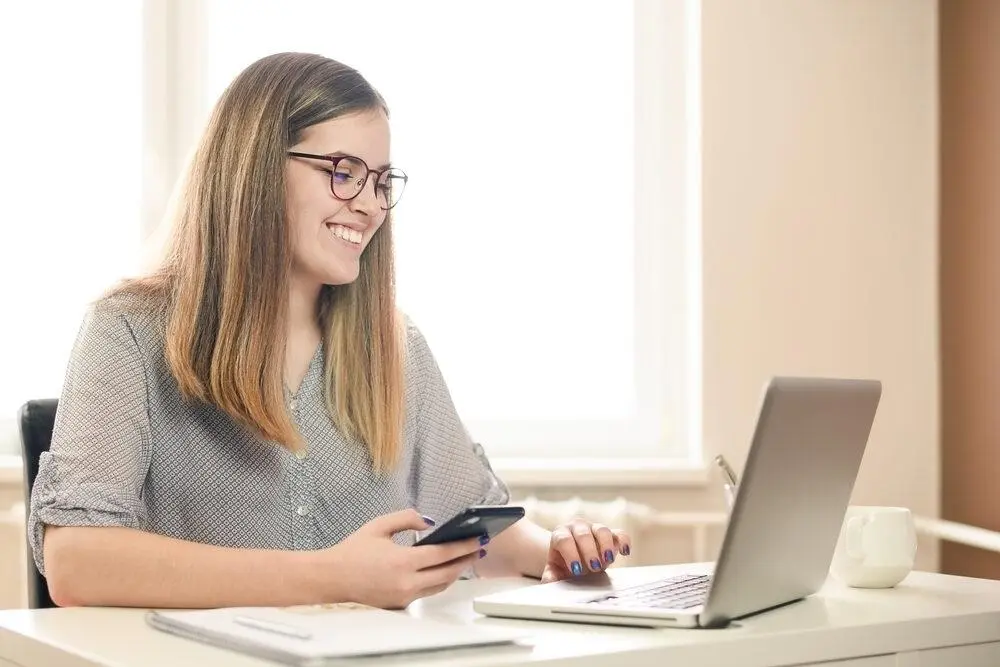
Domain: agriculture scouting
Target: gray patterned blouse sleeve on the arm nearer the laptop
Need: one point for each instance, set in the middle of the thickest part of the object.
(452, 471)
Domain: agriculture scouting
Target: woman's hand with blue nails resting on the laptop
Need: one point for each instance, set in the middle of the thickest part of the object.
(580, 547)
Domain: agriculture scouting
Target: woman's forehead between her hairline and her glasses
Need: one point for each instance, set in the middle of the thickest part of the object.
(364, 134)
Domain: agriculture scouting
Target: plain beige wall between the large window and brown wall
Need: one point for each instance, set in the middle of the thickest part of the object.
(820, 215)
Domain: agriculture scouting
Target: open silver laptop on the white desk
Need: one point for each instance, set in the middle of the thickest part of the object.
(800, 471)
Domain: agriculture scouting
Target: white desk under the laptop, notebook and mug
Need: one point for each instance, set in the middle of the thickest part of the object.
(929, 620)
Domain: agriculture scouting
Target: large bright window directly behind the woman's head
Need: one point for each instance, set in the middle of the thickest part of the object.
(545, 244)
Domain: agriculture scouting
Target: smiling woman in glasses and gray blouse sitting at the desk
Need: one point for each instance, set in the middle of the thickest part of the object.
(254, 423)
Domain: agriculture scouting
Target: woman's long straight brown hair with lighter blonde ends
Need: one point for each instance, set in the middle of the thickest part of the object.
(224, 279)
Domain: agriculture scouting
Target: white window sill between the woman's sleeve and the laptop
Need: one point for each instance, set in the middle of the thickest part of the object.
(600, 472)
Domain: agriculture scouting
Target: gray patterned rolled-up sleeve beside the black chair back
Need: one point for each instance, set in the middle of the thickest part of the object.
(94, 472)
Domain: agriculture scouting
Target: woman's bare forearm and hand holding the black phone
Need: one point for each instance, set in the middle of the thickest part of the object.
(123, 567)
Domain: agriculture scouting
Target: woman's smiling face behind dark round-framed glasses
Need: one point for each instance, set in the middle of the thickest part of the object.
(328, 234)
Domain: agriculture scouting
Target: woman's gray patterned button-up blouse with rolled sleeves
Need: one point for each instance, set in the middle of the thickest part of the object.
(129, 451)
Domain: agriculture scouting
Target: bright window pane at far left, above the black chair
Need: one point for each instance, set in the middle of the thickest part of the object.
(72, 194)
